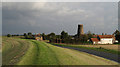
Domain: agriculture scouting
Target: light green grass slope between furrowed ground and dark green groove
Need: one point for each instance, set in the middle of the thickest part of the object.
(29, 57)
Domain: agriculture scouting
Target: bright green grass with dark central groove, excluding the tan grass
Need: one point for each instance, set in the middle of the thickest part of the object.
(39, 54)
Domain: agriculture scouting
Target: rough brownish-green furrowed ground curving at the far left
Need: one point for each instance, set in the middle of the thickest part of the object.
(13, 49)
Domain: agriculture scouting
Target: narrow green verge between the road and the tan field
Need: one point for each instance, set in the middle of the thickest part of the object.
(92, 48)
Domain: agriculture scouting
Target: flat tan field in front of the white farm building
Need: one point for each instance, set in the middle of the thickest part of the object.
(113, 47)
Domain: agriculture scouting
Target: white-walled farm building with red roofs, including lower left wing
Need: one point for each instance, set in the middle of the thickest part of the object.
(103, 39)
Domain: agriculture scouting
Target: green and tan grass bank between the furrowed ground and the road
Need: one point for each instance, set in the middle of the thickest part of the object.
(48, 54)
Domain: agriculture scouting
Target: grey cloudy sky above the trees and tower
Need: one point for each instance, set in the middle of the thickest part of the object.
(46, 17)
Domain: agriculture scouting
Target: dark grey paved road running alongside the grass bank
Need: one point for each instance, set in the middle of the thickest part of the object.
(110, 56)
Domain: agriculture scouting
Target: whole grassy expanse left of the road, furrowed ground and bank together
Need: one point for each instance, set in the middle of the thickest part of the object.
(16, 51)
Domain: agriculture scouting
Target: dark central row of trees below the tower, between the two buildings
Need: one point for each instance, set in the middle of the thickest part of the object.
(66, 38)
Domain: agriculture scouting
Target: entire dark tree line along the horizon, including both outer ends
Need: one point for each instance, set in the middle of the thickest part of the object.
(64, 37)
